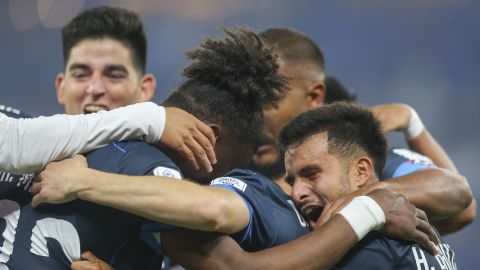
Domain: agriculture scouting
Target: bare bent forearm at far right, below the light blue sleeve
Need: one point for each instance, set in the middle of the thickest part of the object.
(439, 192)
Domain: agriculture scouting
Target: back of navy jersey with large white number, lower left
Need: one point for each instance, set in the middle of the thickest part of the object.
(51, 236)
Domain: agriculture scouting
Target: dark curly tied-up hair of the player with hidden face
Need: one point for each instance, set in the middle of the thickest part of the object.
(229, 82)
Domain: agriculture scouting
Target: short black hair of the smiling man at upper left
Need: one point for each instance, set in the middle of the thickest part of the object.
(107, 22)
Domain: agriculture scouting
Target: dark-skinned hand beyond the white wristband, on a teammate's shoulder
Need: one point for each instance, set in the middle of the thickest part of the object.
(404, 221)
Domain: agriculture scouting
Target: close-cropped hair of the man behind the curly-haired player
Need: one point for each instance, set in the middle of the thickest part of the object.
(294, 47)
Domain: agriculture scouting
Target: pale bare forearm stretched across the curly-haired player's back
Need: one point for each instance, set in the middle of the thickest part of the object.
(162, 199)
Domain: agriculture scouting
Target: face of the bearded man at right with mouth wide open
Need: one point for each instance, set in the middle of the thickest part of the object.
(317, 176)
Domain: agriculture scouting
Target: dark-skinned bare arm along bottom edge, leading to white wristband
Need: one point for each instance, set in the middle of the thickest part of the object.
(320, 249)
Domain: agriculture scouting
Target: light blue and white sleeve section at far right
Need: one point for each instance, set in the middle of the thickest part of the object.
(404, 161)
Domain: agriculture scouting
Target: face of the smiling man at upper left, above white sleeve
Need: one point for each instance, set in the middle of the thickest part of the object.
(100, 75)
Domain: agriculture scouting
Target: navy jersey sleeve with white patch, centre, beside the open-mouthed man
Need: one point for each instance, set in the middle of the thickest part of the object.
(274, 218)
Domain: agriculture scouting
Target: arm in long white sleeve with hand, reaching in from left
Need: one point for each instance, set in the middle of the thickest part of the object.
(27, 145)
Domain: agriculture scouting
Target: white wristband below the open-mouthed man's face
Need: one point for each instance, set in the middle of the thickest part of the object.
(364, 215)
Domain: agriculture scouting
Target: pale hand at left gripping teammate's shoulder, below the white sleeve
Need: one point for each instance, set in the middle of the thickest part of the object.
(53, 184)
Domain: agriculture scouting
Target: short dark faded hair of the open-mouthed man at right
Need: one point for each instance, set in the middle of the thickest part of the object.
(352, 130)
